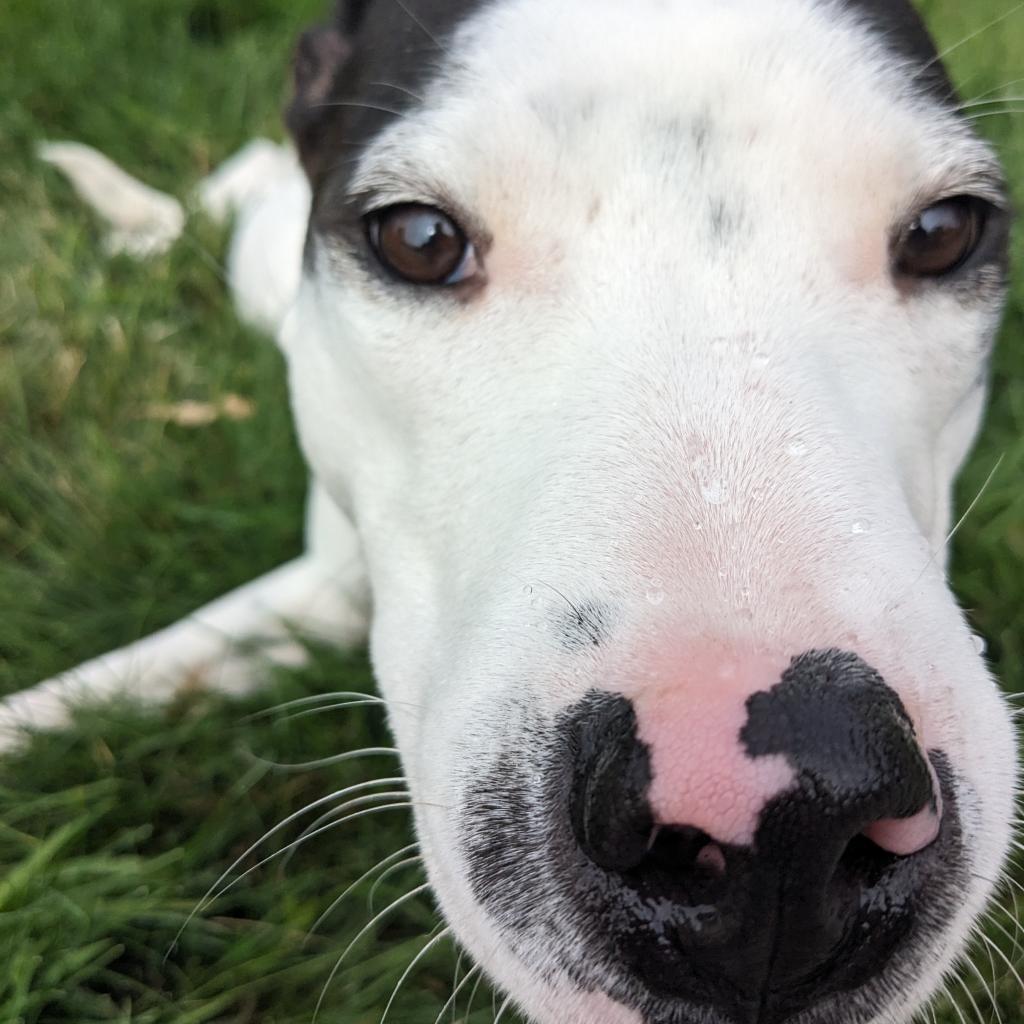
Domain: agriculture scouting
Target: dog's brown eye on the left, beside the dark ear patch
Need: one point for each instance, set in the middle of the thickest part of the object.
(421, 245)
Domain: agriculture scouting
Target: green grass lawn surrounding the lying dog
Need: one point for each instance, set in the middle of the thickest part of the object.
(113, 525)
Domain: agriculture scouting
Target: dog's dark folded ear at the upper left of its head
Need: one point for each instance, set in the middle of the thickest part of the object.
(321, 57)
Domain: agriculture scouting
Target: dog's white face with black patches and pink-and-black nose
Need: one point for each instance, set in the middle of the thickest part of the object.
(644, 343)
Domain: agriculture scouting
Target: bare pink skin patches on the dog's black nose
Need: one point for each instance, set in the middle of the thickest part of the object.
(703, 777)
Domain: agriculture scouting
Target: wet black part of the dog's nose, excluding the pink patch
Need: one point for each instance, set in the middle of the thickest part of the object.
(814, 907)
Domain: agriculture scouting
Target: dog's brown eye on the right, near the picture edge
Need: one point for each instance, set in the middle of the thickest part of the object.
(942, 238)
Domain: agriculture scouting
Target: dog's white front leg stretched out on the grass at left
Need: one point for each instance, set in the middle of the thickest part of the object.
(226, 645)
